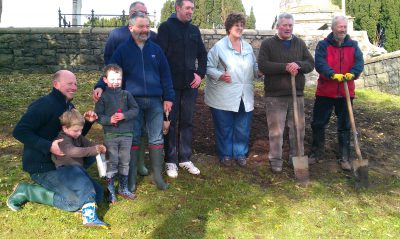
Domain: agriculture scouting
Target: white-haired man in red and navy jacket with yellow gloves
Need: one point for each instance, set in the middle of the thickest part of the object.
(337, 58)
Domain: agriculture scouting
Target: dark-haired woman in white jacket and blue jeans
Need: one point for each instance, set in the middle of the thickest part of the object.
(231, 69)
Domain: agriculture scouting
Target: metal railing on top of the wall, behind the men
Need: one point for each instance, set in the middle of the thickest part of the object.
(94, 20)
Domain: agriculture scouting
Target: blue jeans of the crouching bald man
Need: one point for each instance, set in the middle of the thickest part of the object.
(72, 187)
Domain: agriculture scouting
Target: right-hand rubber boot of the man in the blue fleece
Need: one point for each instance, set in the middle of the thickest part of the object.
(157, 164)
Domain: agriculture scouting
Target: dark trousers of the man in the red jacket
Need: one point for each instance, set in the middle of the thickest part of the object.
(323, 107)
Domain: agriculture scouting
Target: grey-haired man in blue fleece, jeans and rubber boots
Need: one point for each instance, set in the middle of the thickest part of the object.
(147, 77)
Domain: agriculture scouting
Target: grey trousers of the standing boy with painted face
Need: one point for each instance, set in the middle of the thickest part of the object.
(118, 155)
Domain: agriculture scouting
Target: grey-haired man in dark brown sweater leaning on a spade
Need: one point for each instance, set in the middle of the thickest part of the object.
(280, 57)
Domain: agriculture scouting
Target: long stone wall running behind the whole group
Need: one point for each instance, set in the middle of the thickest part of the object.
(28, 50)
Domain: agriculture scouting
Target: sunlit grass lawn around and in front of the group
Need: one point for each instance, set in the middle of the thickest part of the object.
(230, 203)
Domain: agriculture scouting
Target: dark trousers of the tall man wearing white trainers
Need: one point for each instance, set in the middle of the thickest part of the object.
(179, 143)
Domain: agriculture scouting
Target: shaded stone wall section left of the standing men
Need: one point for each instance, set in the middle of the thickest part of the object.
(46, 50)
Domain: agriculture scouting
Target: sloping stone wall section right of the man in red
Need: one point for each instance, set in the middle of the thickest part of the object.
(383, 73)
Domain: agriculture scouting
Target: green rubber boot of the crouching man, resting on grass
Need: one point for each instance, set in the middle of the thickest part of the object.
(24, 192)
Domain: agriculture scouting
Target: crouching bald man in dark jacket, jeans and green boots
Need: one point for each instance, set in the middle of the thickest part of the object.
(37, 130)
